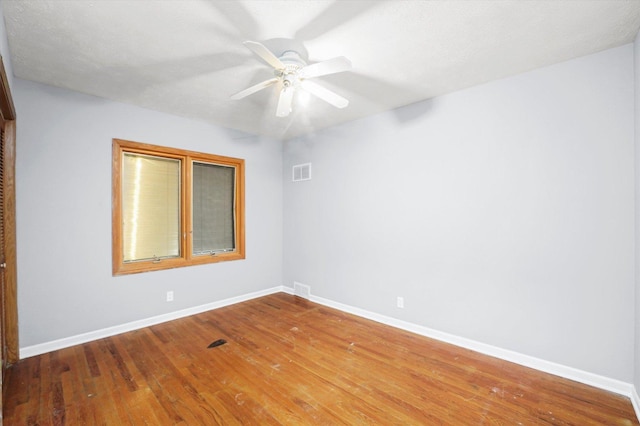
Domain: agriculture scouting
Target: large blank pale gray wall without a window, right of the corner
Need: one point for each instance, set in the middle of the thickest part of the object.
(503, 213)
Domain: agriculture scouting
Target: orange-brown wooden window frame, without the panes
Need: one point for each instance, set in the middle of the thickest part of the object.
(186, 257)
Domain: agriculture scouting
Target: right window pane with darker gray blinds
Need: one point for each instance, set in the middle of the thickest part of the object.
(213, 208)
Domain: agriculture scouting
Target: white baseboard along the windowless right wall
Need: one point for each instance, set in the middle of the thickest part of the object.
(571, 373)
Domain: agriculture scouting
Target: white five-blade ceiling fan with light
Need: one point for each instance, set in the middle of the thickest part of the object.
(293, 73)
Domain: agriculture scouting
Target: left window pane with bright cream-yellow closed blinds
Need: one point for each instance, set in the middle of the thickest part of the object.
(150, 207)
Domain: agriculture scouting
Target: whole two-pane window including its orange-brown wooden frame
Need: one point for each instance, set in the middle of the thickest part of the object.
(174, 208)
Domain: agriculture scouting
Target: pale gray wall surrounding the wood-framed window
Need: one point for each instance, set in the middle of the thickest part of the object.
(64, 215)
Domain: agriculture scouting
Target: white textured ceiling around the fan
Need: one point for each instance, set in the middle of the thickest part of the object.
(186, 57)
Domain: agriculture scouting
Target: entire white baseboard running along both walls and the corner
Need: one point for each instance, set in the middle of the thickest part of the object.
(591, 379)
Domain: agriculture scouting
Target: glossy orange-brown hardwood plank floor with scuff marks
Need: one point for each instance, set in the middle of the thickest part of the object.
(290, 361)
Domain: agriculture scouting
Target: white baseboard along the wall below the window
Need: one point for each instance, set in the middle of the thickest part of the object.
(66, 342)
